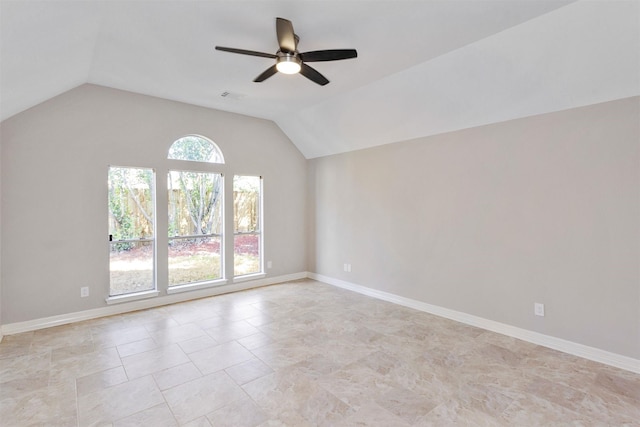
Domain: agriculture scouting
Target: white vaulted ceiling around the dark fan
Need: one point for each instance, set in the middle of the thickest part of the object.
(424, 67)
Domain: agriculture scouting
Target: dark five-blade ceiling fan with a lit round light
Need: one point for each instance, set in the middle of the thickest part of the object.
(289, 60)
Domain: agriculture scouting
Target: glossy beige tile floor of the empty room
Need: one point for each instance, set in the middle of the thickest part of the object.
(299, 354)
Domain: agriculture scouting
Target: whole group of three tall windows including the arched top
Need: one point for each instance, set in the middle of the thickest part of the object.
(195, 219)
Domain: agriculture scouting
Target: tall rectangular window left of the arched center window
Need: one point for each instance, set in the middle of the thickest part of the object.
(131, 230)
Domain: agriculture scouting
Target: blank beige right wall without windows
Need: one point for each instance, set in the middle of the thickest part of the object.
(489, 220)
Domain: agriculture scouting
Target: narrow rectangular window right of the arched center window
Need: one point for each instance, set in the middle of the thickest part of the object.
(247, 225)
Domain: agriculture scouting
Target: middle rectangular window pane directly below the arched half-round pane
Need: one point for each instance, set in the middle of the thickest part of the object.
(195, 227)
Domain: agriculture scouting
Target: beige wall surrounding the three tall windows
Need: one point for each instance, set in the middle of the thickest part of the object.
(55, 159)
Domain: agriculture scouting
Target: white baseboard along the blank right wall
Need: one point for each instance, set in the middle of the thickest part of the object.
(576, 349)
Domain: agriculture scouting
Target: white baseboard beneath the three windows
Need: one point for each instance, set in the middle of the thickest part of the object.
(110, 310)
